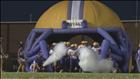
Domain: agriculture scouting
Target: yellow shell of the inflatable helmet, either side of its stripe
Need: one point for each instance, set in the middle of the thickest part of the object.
(95, 13)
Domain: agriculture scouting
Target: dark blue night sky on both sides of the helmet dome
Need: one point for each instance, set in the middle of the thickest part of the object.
(23, 10)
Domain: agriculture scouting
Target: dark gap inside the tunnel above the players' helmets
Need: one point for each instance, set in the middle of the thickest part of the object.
(74, 38)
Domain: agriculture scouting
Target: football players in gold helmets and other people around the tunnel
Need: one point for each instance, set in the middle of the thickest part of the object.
(69, 63)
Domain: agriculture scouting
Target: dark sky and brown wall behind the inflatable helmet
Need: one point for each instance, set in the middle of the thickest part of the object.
(19, 17)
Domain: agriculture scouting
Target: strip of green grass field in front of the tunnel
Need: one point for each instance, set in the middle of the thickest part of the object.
(27, 75)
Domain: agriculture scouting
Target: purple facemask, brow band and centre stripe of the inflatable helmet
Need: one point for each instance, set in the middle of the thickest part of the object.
(119, 43)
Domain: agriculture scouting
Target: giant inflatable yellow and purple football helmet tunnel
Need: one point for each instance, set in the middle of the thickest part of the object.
(88, 20)
